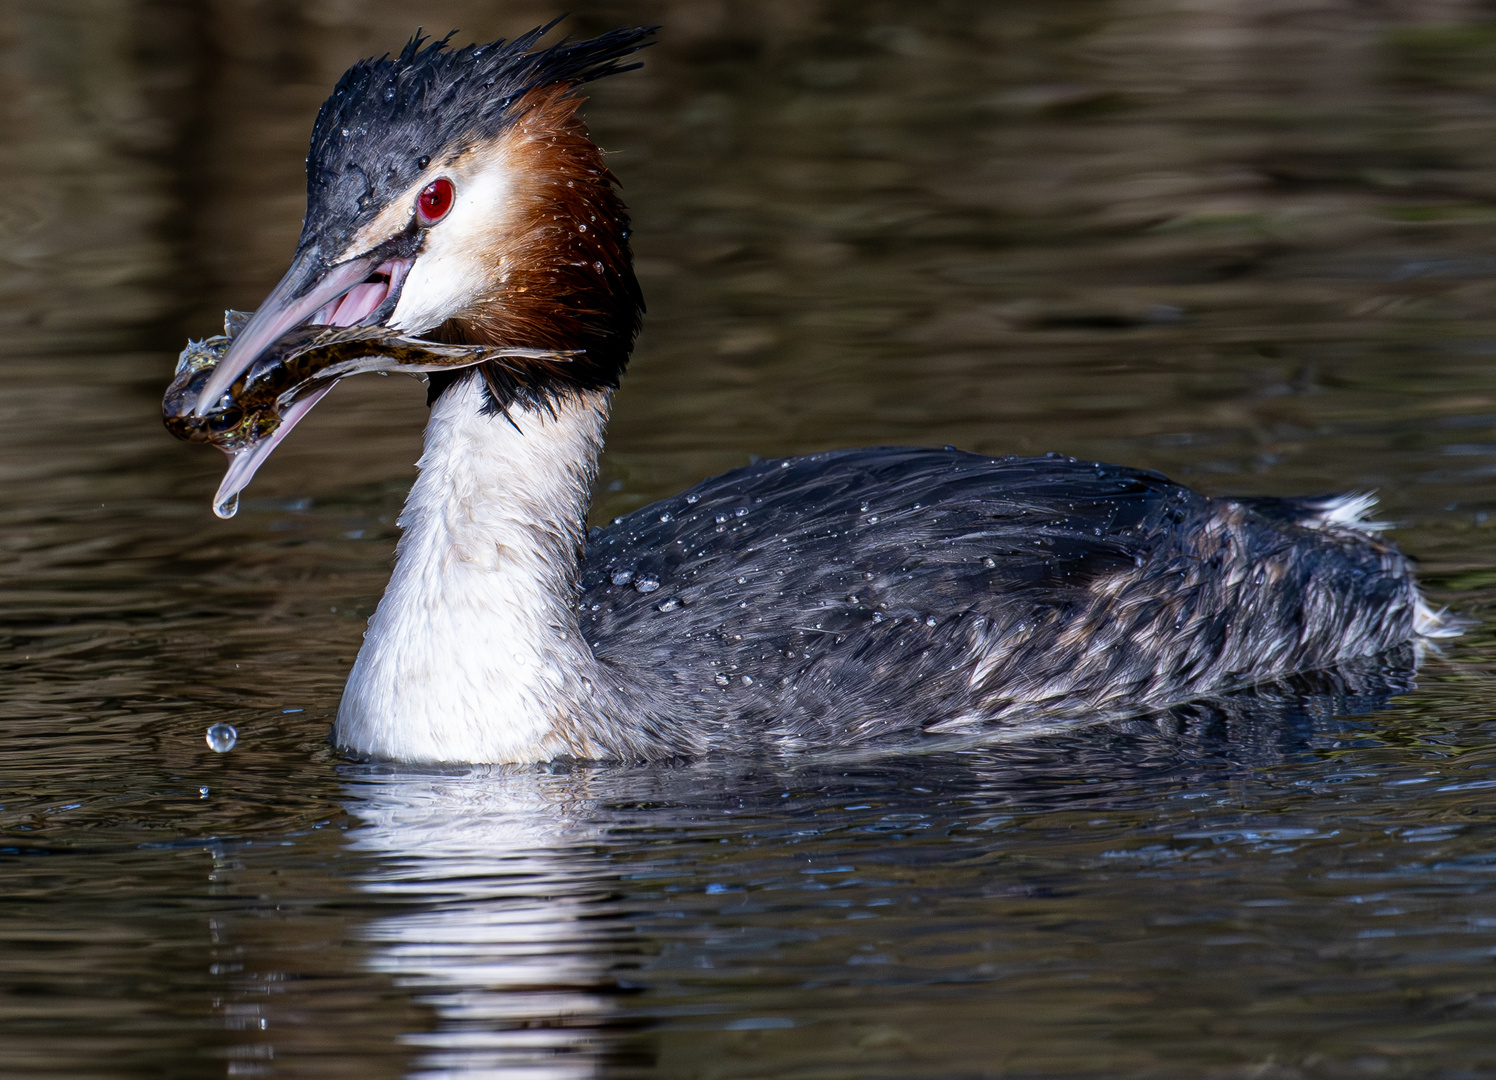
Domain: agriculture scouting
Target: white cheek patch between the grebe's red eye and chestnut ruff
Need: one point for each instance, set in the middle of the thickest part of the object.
(462, 258)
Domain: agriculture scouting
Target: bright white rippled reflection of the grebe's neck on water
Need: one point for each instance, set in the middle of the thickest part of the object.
(497, 927)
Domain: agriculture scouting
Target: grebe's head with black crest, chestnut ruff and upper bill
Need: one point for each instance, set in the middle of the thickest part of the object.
(457, 195)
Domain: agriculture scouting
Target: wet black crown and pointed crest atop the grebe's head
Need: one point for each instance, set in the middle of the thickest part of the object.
(385, 116)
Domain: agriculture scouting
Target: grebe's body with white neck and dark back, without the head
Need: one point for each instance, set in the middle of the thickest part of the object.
(833, 599)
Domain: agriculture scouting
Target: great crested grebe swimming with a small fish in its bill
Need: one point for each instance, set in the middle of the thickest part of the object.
(809, 602)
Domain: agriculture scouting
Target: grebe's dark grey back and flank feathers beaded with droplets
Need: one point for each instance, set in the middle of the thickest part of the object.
(856, 593)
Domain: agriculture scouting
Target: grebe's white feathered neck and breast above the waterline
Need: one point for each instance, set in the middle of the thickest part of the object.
(475, 651)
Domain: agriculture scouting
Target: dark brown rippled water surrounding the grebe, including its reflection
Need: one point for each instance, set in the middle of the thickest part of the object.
(1250, 245)
